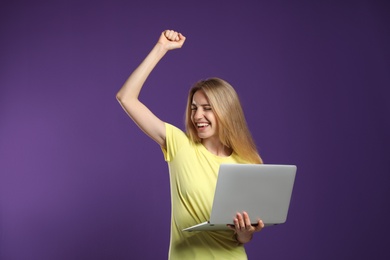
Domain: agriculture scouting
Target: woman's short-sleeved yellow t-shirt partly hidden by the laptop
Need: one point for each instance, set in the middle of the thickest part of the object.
(193, 174)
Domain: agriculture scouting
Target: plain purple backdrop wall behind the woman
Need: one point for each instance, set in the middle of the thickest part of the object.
(80, 181)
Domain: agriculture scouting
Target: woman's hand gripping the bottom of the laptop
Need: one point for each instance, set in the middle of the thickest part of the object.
(243, 227)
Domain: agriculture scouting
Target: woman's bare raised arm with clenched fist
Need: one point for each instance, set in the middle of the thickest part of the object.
(128, 94)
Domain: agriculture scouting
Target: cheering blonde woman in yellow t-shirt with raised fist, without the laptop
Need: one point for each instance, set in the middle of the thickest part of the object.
(216, 133)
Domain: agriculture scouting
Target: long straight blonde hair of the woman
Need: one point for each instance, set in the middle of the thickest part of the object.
(233, 130)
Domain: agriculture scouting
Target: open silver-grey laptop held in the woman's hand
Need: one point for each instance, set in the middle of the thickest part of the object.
(262, 190)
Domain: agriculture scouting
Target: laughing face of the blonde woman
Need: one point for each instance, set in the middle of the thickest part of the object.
(202, 116)
